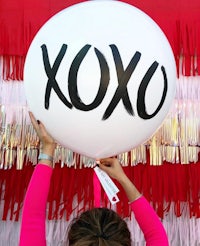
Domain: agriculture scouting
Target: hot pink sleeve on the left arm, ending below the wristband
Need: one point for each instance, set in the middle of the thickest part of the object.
(34, 210)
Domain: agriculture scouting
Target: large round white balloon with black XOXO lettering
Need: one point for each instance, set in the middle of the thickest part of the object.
(101, 77)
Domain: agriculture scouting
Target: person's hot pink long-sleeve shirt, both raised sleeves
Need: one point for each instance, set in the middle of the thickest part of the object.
(34, 213)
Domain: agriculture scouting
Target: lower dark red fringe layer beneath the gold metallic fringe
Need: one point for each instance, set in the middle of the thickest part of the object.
(161, 185)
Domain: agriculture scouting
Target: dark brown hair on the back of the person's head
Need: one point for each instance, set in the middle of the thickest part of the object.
(99, 226)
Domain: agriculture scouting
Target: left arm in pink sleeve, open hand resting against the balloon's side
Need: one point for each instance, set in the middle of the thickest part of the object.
(34, 210)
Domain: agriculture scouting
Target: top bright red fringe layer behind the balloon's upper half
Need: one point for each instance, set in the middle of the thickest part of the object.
(20, 21)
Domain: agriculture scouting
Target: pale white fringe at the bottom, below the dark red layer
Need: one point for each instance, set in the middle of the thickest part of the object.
(181, 231)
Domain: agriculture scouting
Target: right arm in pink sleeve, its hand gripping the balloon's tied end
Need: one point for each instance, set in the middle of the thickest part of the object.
(146, 217)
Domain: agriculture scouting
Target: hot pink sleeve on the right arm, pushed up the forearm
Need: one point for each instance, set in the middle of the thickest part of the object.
(149, 223)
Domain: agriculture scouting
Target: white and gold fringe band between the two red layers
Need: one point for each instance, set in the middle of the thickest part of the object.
(177, 140)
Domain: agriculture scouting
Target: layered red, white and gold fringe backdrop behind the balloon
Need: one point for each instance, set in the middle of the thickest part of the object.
(166, 169)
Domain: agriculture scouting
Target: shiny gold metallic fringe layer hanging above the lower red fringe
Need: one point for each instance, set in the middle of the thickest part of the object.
(177, 141)
